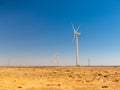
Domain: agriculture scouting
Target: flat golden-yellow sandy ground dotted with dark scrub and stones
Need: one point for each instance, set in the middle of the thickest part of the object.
(60, 78)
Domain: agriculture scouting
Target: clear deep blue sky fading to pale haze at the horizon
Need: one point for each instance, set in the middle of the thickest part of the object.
(33, 31)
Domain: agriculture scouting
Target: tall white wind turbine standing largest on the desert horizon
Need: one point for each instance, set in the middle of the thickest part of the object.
(76, 34)
